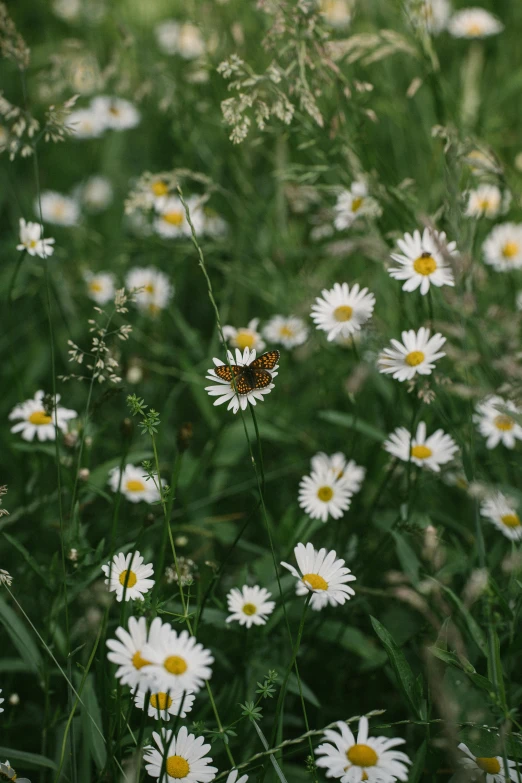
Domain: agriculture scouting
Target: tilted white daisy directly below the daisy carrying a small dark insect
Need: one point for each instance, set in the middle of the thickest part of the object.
(416, 355)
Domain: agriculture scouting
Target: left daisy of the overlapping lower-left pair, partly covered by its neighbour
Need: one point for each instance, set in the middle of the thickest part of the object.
(127, 651)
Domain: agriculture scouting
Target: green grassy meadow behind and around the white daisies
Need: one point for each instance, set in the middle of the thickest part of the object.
(432, 573)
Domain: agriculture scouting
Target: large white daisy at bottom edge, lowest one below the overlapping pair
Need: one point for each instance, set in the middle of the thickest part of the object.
(180, 757)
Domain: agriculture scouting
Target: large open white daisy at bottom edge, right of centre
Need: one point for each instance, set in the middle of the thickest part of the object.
(365, 758)
